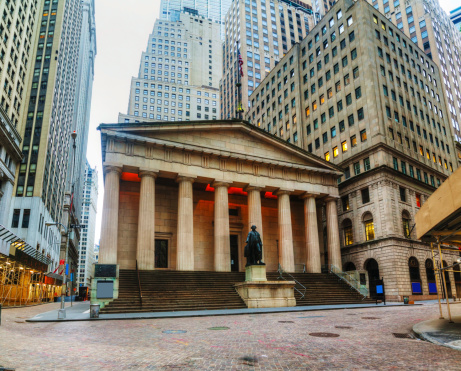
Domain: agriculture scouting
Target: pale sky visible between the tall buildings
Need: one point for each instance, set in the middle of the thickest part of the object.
(122, 32)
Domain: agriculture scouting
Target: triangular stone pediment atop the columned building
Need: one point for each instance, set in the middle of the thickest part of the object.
(224, 137)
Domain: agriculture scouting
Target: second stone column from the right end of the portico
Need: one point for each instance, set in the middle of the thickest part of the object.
(313, 264)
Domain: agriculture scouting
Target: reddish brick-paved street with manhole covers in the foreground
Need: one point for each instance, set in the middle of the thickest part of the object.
(252, 342)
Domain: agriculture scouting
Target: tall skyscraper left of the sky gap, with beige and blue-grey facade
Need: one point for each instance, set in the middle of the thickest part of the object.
(54, 109)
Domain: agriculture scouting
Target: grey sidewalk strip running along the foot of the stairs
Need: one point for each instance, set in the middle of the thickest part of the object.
(81, 312)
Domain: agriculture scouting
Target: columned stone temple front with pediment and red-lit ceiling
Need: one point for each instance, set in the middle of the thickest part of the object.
(182, 196)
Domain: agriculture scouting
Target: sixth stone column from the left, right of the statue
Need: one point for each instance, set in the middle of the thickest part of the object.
(286, 254)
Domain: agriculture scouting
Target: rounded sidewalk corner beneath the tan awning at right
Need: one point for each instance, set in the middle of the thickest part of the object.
(441, 331)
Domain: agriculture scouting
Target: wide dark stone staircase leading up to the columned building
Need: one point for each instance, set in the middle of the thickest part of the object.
(168, 291)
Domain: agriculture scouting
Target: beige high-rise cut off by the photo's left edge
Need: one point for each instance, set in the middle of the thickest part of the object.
(17, 30)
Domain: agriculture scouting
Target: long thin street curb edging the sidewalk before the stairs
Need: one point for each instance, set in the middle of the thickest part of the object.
(231, 312)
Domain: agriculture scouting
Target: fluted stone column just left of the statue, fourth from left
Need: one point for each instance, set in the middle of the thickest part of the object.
(222, 261)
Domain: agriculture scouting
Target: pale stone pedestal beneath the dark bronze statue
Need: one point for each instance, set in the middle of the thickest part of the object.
(258, 292)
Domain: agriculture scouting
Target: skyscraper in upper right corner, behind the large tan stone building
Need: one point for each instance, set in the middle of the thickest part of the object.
(431, 29)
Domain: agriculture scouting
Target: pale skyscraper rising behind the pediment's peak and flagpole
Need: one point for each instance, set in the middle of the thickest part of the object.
(262, 32)
